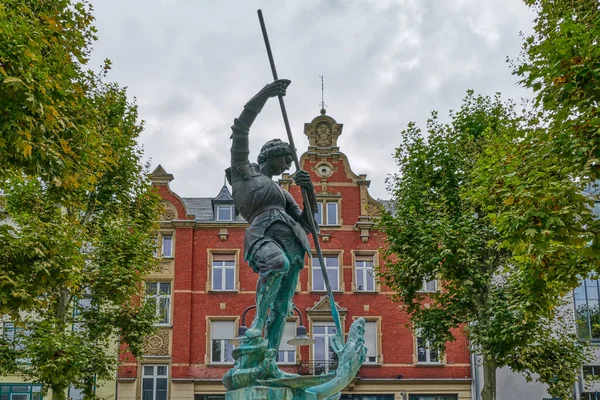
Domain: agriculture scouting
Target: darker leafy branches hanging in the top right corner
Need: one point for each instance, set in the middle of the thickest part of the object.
(560, 62)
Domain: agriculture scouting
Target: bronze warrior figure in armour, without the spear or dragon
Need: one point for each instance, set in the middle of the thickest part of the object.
(276, 240)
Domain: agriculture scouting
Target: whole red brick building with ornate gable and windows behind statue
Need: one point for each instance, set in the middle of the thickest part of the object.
(205, 286)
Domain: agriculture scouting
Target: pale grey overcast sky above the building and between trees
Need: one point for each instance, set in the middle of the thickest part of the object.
(192, 64)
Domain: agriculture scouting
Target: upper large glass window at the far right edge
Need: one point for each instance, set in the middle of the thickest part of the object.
(587, 310)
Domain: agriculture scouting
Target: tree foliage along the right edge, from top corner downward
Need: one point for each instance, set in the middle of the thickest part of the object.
(531, 181)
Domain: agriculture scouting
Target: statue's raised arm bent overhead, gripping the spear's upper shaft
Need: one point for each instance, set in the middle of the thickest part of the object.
(240, 148)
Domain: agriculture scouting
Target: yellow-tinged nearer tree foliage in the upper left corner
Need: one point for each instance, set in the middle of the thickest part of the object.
(45, 122)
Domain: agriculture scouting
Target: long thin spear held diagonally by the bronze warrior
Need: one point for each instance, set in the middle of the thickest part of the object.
(334, 312)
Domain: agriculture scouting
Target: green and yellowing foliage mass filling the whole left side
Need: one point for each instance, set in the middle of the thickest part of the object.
(77, 234)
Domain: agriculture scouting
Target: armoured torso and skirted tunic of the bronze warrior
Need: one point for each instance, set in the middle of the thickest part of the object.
(271, 211)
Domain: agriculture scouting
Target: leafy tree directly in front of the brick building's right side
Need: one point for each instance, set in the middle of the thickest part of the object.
(440, 230)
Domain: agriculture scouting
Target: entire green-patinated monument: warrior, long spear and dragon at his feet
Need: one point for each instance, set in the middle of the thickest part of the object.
(275, 245)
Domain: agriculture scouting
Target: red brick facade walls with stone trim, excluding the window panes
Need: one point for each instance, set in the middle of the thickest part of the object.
(196, 236)
